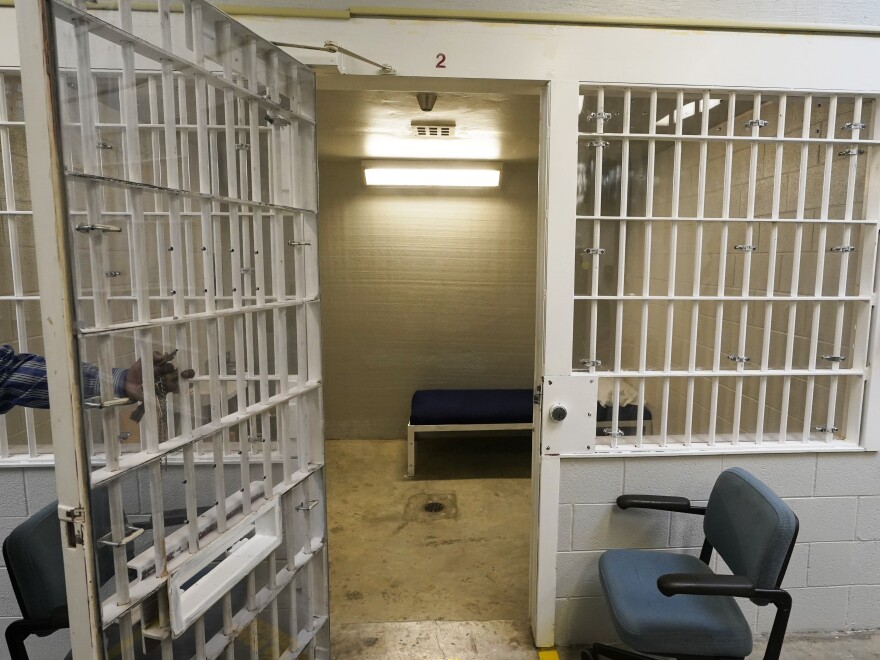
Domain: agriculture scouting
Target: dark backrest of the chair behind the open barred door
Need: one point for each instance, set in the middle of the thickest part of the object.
(34, 559)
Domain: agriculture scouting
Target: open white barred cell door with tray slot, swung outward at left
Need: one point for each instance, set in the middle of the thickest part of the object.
(172, 155)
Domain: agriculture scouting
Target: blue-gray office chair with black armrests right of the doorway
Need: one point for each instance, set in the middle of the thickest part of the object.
(673, 605)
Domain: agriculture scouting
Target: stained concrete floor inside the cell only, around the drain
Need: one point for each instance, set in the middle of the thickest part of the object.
(392, 561)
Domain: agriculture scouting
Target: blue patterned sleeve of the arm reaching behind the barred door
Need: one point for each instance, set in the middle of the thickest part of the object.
(23, 380)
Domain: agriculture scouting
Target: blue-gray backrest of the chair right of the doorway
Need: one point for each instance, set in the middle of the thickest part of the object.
(750, 527)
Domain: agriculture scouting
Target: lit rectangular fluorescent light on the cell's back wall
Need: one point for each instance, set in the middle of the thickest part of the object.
(432, 174)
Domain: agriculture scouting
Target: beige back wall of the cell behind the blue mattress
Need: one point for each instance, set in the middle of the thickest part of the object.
(422, 290)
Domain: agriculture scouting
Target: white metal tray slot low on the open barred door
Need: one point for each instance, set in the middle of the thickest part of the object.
(242, 556)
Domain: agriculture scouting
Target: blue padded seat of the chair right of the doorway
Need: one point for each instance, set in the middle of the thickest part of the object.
(650, 622)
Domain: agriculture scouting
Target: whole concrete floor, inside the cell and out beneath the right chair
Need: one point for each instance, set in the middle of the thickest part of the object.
(410, 585)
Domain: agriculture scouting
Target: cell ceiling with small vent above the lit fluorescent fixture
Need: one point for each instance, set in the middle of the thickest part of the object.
(359, 124)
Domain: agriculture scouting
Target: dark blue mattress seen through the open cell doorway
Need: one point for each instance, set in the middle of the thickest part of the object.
(431, 407)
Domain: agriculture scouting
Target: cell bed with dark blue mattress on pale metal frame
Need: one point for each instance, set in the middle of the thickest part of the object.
(456, 411)
